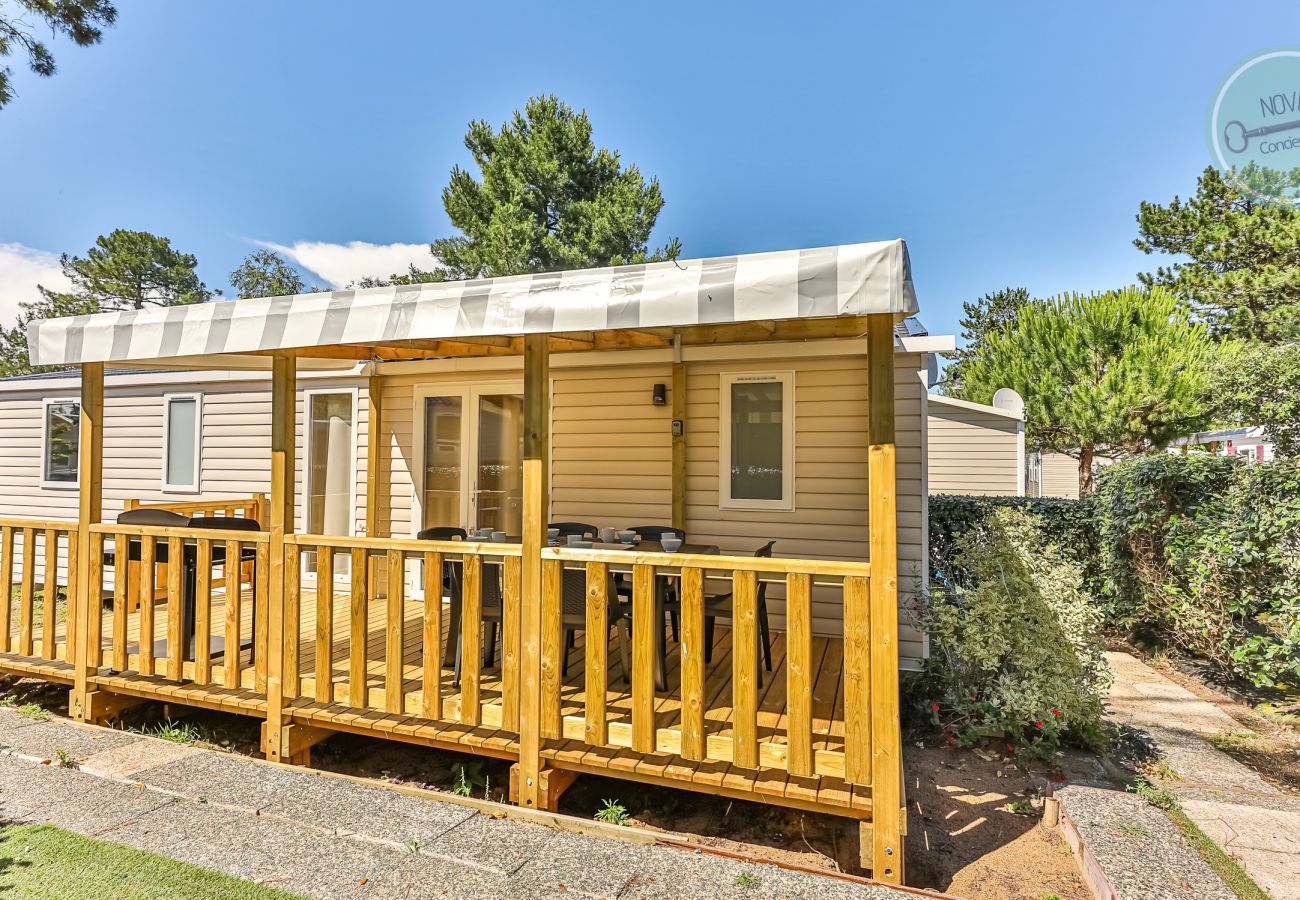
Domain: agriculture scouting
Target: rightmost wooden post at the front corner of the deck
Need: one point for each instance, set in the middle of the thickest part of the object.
(886, 738)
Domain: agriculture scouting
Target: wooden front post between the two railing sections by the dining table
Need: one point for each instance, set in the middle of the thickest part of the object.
(536, 505)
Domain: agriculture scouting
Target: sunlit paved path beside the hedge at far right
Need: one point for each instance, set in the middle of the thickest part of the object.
(1254, 821)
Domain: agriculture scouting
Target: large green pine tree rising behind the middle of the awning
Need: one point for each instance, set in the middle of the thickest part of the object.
(547, 200)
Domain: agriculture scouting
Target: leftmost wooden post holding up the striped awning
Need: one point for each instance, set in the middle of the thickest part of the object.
(90, 510)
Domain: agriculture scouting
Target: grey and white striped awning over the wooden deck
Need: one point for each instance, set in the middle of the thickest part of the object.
(852, 280)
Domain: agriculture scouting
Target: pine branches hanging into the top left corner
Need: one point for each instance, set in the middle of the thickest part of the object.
(84, 21)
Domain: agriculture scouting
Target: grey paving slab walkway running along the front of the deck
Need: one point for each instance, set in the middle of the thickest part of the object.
(327, 837)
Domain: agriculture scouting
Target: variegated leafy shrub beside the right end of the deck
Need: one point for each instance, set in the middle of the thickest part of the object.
(1016, 647)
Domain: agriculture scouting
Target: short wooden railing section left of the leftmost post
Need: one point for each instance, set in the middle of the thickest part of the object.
(37, 556)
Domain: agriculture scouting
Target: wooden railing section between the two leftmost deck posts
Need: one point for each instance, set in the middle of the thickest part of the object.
(168, 639)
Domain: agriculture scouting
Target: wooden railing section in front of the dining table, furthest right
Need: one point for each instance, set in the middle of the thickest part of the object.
(656, 728)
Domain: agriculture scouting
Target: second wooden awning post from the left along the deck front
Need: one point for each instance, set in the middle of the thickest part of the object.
(284, 421)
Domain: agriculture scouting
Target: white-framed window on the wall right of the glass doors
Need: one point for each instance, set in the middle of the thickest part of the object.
(757, 455)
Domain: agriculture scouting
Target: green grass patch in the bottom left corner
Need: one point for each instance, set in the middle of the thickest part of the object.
(44, 862)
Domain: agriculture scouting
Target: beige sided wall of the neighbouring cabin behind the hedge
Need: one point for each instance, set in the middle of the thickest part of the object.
(972, 452)
